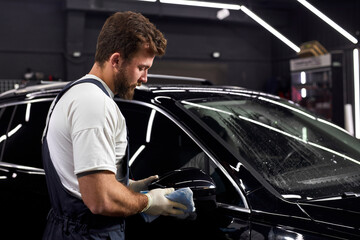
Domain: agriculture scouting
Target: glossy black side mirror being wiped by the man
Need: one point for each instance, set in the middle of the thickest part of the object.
(201, 184)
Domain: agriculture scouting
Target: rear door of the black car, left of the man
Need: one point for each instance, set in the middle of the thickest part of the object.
(24, 202)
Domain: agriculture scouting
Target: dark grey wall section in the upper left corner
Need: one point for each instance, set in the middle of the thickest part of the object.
(32, 35)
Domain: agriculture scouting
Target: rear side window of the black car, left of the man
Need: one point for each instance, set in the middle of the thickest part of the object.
(23, 143)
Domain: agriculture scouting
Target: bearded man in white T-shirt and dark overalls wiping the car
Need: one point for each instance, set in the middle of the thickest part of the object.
(85, 141)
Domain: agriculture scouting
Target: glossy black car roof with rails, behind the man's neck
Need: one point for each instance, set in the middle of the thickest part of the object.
(176, 87)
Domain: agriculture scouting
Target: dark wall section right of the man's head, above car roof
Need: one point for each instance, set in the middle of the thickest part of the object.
(243, 51)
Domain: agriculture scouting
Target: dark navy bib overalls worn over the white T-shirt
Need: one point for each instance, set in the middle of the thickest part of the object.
(69, 218)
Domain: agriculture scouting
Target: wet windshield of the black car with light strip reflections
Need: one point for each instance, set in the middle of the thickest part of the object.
(301, 156)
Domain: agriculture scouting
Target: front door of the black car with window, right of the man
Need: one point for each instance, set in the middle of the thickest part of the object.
(159, 145)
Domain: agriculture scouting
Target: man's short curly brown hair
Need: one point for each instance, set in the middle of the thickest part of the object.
(126, 32)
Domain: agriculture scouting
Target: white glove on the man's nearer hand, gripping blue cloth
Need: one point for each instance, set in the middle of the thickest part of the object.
(158, 204)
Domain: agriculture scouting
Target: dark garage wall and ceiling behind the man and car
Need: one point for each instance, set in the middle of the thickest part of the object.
(57, 38)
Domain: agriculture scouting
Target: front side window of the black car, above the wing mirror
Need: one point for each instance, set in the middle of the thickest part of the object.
(158, 145)
